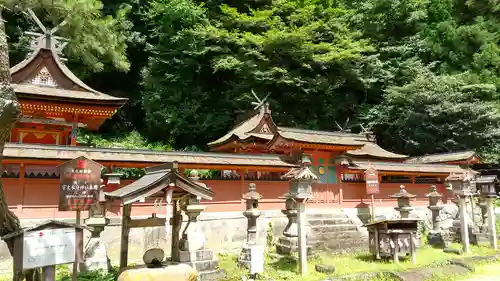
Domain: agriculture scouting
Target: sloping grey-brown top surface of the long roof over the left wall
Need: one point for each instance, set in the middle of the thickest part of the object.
(33, 151)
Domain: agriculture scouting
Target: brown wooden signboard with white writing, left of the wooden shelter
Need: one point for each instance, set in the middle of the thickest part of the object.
(79, 185)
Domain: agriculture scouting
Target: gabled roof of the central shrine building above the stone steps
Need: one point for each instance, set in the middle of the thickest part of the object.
(259, 131)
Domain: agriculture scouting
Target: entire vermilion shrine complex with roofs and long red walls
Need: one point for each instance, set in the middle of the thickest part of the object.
(55, 103)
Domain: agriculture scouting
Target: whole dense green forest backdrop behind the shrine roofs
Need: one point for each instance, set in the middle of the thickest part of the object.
(423, 75)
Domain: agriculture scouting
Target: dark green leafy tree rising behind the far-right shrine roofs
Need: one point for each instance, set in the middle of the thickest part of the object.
(439, 113)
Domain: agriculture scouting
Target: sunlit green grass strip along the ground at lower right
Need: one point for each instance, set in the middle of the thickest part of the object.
(285, 268)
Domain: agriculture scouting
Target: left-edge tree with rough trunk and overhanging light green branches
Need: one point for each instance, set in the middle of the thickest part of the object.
(84, 24)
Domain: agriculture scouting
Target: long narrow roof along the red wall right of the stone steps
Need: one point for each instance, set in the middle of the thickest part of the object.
(407, 167)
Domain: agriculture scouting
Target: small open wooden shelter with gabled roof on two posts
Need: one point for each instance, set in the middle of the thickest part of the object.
(156, 183)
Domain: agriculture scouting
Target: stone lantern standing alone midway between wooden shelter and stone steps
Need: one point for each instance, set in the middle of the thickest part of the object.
(252, 198)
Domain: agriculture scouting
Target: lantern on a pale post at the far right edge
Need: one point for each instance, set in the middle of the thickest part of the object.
(487, 188)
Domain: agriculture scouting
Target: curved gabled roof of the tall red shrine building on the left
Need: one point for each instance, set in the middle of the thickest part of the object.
(44, 76)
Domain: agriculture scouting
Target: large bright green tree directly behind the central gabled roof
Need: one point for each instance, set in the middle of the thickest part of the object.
(204, 64)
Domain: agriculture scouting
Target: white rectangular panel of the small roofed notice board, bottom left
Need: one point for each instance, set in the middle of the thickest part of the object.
(49, 247)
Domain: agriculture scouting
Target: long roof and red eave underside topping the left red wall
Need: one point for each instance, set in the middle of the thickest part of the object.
(137, 158)
